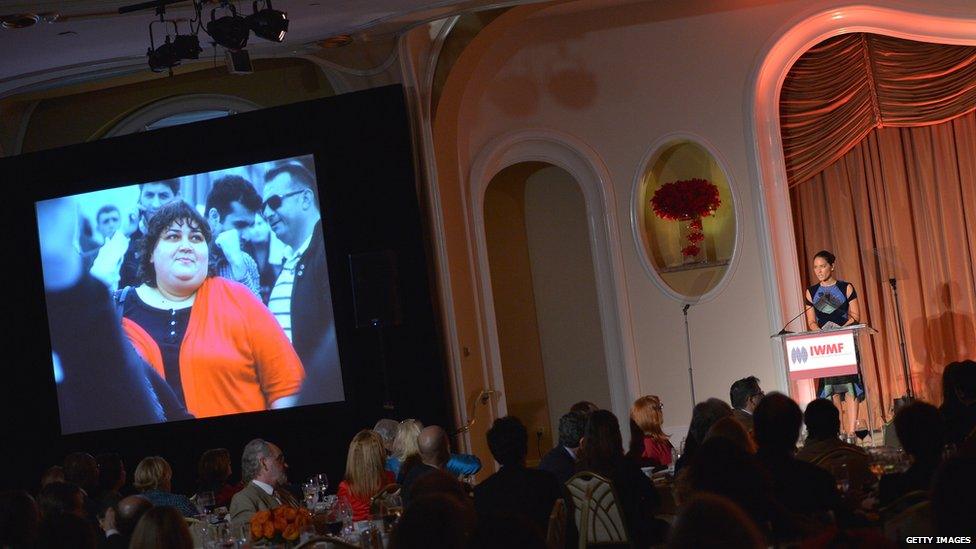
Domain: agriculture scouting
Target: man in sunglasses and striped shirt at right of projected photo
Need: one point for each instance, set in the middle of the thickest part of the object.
(300, 299)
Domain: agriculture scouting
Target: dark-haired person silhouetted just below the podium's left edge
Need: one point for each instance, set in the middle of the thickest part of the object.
(799, 486)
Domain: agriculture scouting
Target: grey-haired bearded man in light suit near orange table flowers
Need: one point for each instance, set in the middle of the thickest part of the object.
(263, 470)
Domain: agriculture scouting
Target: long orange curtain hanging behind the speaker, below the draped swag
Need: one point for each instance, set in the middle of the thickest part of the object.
(901, 204)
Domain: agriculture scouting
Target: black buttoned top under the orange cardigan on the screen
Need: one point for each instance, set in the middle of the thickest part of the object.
(167, 328)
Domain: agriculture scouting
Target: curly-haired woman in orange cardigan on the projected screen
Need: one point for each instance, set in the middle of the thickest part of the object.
(216, 345)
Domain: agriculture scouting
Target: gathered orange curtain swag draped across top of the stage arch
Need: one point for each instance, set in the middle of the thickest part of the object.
(842, 88)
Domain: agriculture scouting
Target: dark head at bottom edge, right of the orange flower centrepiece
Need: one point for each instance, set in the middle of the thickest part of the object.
(437, 520)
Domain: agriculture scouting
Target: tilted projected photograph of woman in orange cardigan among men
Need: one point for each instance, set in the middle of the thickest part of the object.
(203, 295)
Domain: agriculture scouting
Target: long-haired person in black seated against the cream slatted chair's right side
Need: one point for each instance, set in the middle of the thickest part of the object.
(602, 452)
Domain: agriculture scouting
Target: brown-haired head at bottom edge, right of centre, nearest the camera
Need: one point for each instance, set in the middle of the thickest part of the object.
(712, 521)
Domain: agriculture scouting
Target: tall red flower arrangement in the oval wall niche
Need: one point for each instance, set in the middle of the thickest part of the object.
(687, 200)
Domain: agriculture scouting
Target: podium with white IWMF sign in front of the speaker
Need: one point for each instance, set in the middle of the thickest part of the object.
(825, 353)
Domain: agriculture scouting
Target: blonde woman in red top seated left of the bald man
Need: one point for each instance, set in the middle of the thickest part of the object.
(365, 474)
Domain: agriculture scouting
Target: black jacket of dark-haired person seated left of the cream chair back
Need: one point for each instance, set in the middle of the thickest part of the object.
(520, 492)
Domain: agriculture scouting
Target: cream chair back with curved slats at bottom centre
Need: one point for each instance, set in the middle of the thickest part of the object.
(597, 510)
